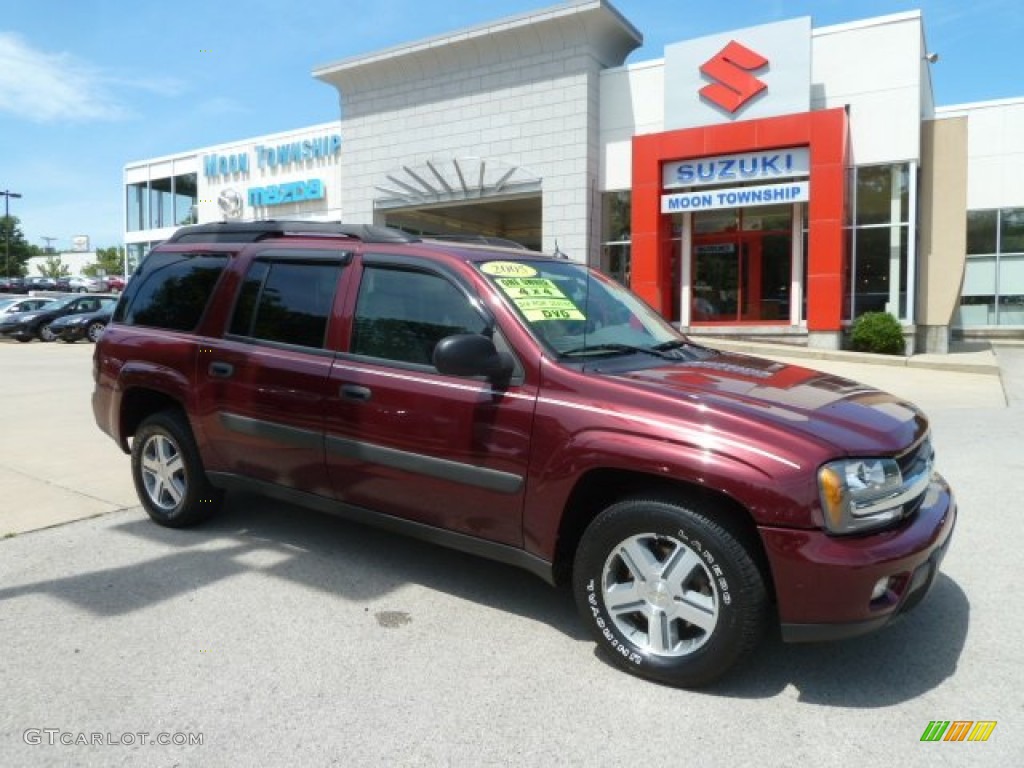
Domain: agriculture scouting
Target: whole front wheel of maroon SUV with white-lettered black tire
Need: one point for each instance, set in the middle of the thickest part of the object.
(695, 579)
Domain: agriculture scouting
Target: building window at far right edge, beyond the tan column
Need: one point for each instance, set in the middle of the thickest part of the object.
(994, 282)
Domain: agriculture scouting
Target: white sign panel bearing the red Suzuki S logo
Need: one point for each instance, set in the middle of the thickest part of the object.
(759, 72)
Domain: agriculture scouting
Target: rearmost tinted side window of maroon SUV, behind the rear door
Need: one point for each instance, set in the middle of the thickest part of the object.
(172, 290)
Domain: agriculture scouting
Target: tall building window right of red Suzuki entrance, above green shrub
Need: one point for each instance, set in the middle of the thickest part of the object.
(880, 241)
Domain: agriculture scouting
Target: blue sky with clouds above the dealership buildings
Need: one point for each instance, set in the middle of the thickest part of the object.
(88, 87)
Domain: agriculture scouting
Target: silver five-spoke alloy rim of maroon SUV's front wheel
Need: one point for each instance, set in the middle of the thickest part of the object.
(661, 595)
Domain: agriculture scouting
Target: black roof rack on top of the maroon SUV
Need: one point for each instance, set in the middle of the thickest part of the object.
(252, 232)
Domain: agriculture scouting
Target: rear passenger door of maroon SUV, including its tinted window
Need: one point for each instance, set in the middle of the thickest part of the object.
(264, 387)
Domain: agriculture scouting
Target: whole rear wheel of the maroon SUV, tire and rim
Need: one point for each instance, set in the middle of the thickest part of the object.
(168, 473)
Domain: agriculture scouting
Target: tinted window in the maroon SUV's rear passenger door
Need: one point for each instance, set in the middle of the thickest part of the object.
(287, 303)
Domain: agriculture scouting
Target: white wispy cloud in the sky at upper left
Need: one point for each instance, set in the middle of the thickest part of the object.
(49, 88)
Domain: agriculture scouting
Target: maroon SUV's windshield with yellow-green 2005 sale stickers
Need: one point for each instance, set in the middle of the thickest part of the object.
(578, 312)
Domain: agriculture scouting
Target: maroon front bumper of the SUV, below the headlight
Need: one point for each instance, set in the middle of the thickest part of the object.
(824, 584)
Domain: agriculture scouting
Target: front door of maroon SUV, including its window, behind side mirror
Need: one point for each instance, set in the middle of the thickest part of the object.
(406, 441)
